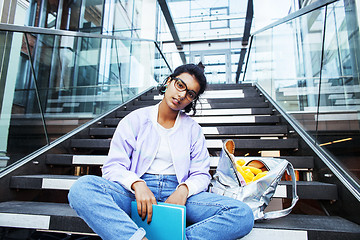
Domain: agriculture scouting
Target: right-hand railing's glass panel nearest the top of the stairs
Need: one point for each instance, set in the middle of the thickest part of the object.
(285, 61)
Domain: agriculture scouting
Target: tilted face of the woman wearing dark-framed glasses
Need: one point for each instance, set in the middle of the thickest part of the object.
(177, 99)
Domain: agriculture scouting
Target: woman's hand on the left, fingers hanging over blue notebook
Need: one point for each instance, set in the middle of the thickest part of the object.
(144, 199)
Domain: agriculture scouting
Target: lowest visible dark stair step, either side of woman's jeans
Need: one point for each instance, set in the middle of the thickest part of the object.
(71, 222)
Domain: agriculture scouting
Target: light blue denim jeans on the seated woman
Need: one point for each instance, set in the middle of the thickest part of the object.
(105, 207)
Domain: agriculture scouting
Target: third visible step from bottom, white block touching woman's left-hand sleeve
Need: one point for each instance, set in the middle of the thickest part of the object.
(301, 162)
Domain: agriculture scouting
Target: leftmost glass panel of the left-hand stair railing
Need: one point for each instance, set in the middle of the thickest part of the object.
(16, 137)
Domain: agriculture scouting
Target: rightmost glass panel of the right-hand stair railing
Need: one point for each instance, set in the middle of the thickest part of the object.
(338, 119)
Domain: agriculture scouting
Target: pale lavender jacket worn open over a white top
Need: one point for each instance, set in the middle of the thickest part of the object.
(135, 144)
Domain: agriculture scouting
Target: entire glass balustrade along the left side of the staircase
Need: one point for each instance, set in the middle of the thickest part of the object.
(53, 83)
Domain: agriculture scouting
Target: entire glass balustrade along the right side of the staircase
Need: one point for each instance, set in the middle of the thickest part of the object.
(309, 66)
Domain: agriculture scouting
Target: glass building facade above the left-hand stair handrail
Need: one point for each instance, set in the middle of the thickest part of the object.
(114, 17)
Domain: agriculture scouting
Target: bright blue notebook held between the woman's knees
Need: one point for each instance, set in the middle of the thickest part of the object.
(168, 221)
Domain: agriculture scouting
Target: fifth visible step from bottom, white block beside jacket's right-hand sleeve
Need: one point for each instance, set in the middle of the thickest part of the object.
(224, 131)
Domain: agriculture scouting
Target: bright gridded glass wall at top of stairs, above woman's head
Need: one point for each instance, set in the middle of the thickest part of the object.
(210, 32)
